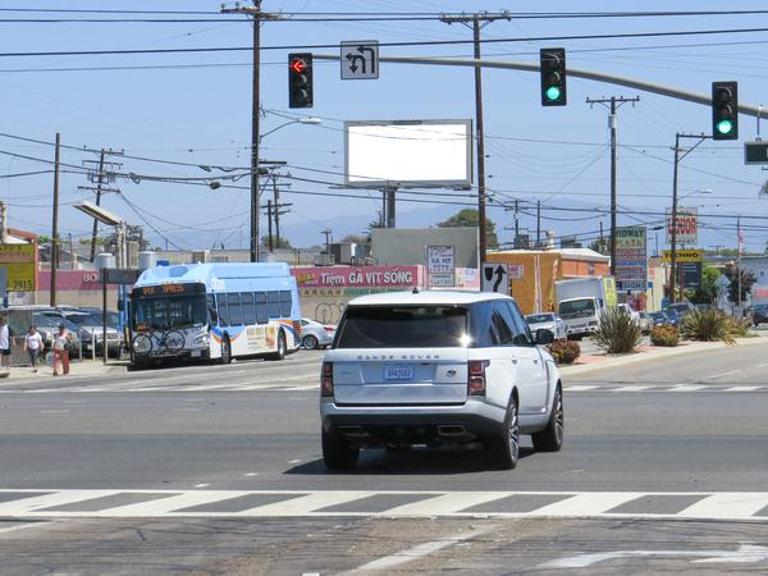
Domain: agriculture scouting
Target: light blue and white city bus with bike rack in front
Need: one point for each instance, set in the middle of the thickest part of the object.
(221, 311)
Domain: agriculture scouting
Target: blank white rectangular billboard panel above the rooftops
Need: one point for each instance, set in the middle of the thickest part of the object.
(409, 154)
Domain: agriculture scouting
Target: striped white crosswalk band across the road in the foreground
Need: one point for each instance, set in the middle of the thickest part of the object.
(730, 506)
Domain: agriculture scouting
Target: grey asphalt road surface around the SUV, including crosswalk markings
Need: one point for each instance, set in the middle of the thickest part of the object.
(94, 472)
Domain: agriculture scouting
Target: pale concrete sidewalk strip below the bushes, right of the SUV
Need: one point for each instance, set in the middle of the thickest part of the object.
(593, 362)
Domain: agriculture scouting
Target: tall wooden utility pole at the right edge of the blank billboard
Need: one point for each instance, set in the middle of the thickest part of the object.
(478, 21)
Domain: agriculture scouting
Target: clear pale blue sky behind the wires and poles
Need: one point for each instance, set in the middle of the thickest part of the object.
(195, 108)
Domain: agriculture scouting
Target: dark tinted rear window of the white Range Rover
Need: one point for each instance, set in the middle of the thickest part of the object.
(403, 327)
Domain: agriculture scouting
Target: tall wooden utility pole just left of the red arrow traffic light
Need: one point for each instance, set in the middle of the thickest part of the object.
(258, 16)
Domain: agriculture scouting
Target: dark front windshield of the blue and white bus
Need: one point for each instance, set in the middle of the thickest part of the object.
(169, 312)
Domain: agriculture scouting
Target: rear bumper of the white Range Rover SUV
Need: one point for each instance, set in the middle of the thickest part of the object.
(377, 425)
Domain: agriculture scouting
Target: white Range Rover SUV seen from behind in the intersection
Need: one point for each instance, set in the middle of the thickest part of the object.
(438, 367)
